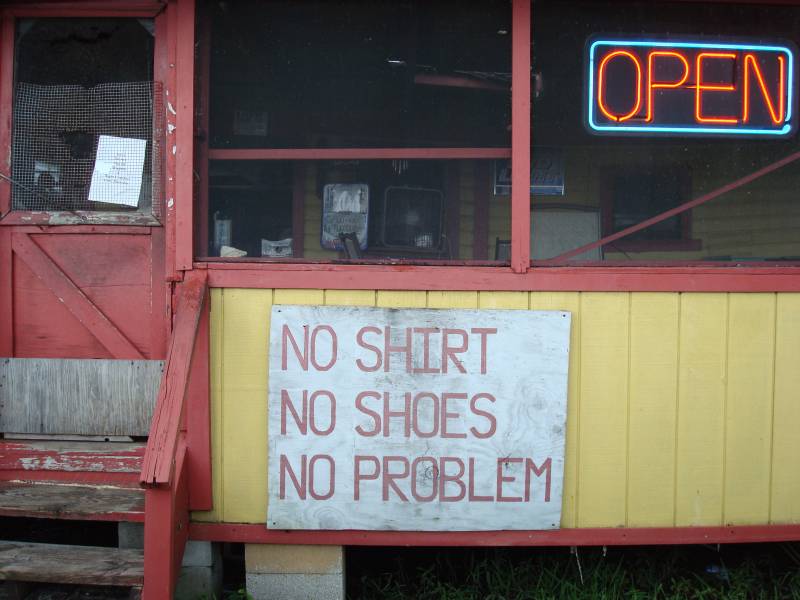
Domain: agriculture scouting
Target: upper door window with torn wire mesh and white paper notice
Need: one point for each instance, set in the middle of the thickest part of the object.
(84, 125)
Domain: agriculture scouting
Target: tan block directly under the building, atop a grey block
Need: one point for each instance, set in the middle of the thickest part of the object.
(294, 559)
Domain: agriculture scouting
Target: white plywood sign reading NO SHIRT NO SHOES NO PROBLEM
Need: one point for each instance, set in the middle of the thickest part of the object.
(416, 419)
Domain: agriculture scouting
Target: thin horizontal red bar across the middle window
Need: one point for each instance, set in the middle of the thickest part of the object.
(356, 153)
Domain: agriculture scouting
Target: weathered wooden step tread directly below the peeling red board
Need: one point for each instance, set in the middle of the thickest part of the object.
(52, 500)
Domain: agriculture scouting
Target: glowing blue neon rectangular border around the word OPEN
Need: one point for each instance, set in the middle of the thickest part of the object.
(785, 130)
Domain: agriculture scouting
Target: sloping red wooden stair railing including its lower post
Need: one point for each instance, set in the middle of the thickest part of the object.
(172, 446)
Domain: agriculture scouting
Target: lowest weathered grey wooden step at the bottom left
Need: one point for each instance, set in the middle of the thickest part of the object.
(81, 565)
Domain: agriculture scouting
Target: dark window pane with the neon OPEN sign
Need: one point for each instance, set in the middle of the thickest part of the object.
(657, 104)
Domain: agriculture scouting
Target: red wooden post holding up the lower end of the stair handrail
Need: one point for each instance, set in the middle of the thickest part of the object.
(166, 530)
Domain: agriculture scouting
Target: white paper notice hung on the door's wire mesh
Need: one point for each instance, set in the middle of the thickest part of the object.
(117, 175)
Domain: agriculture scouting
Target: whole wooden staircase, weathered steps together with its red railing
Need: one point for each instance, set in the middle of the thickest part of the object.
(157, 484)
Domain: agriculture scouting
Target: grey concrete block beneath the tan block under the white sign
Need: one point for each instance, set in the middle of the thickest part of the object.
(282, 586)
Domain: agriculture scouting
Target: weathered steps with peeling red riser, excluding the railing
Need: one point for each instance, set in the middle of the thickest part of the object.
(76, 481)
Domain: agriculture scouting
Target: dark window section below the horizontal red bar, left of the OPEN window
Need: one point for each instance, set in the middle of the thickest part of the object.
(395, 210)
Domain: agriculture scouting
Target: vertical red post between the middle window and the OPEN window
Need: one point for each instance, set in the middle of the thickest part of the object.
(520, 135)
